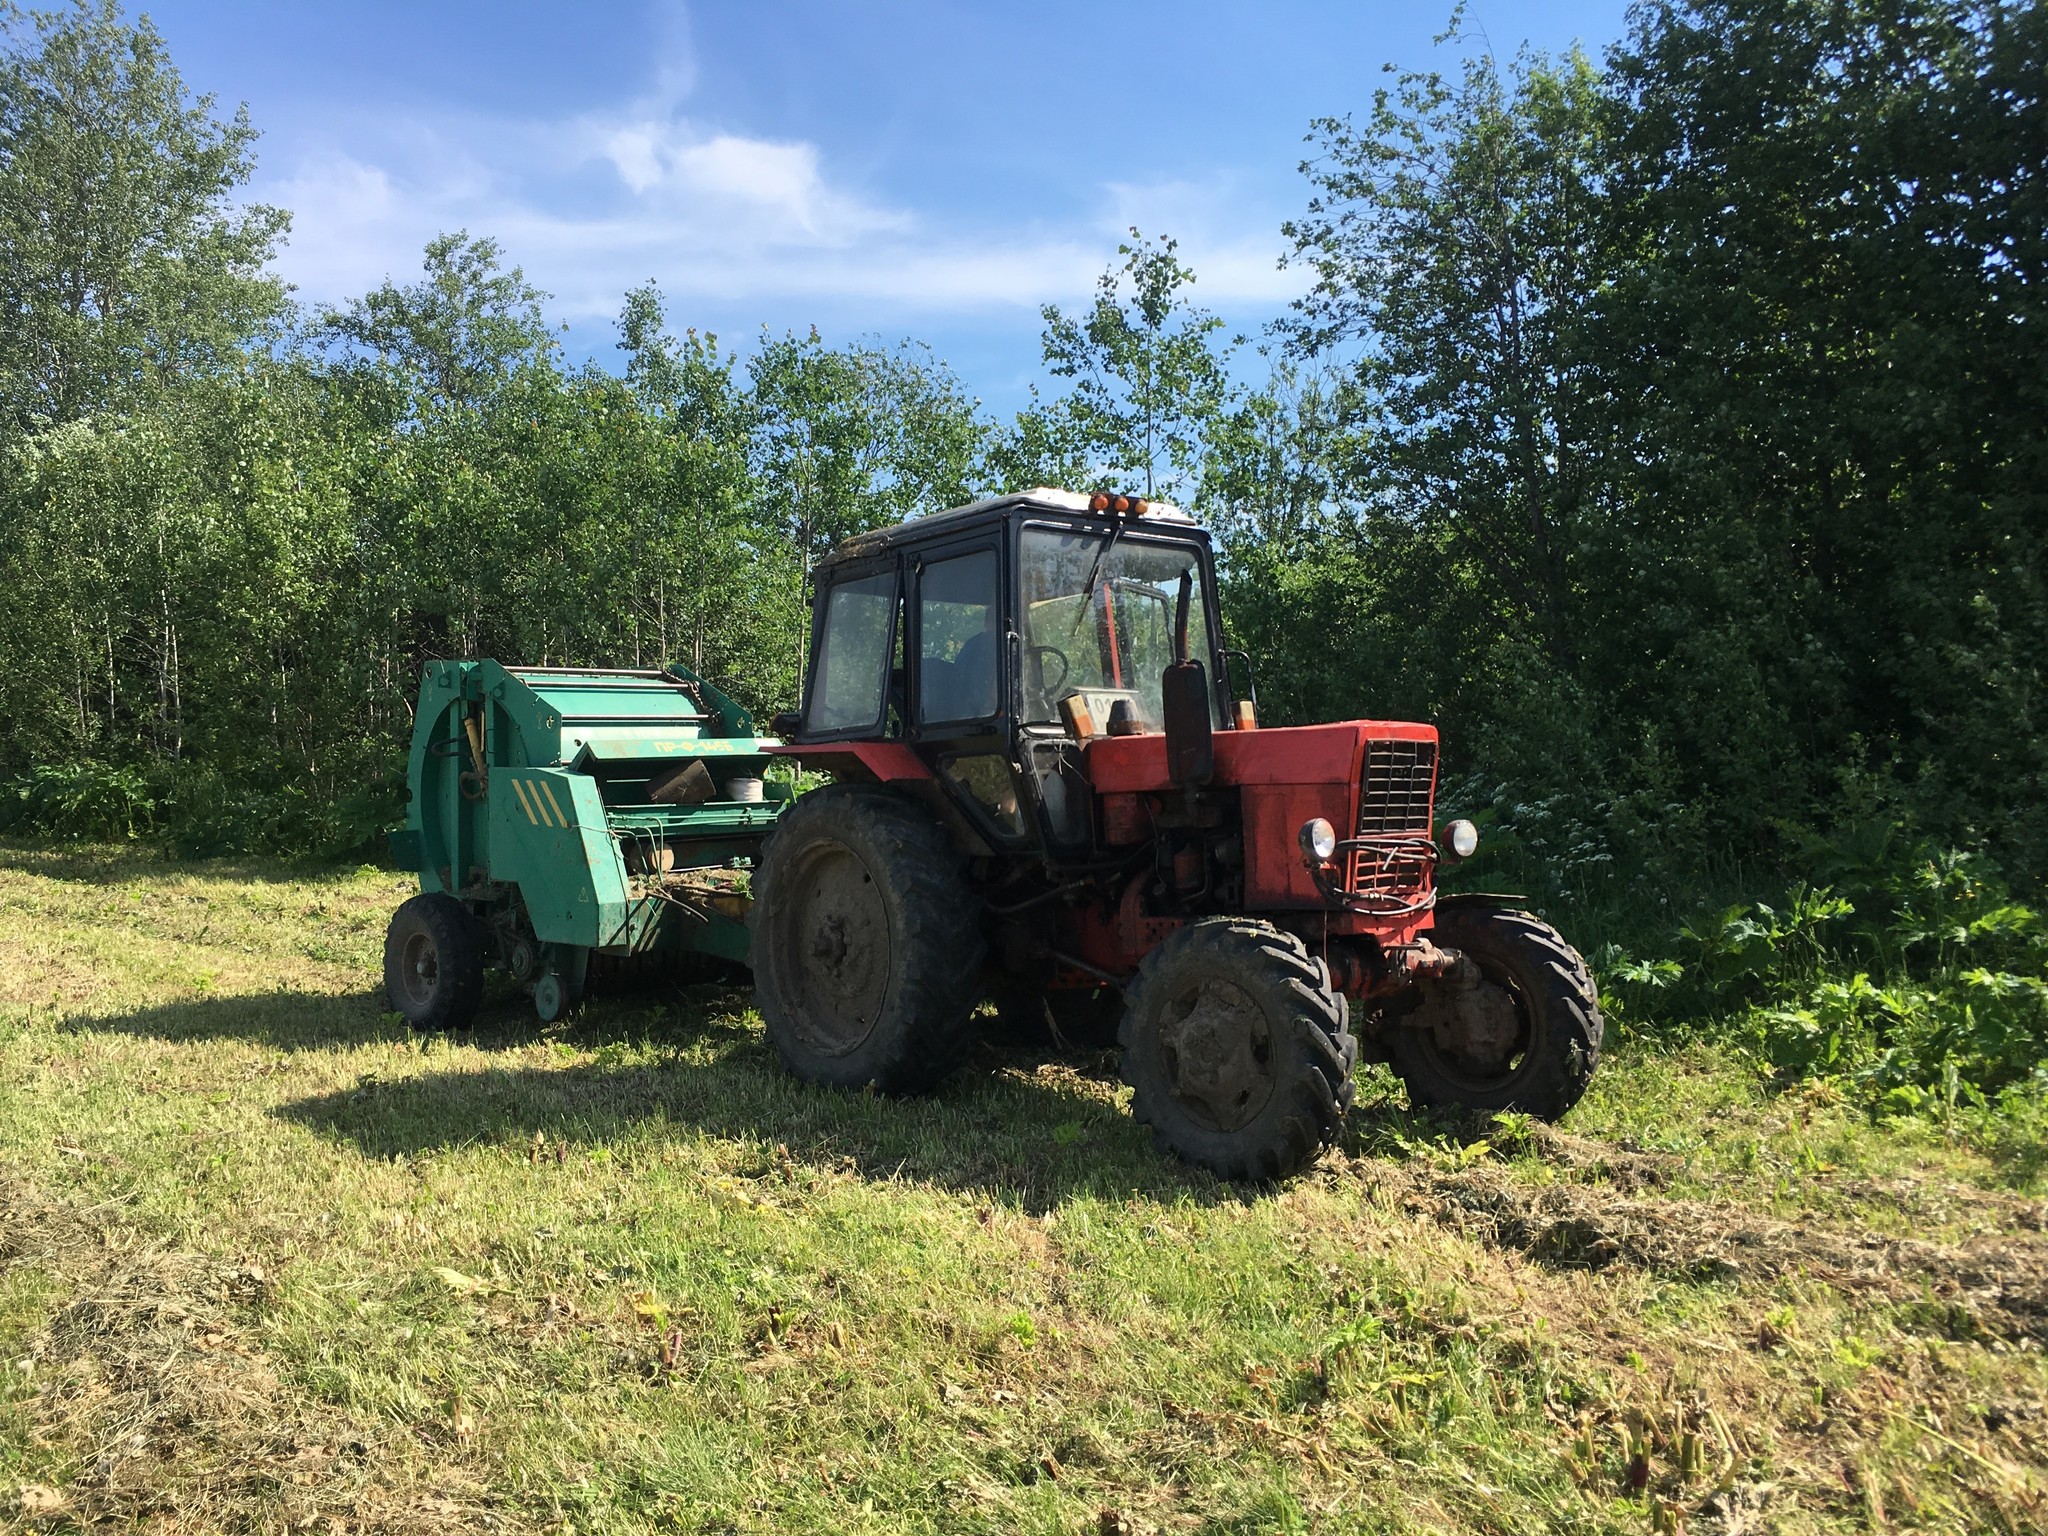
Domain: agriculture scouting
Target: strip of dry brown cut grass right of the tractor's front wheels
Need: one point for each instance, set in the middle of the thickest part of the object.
(1996, 1285)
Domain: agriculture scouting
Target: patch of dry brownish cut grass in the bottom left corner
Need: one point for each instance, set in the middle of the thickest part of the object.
(153, 1385)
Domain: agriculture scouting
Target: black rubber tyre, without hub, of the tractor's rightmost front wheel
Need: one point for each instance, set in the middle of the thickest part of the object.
(1558, 1013)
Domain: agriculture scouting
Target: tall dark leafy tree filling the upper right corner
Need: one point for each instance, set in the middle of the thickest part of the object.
(1832, 464)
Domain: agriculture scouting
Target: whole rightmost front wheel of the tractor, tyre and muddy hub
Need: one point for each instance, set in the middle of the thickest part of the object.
(1517, 1033)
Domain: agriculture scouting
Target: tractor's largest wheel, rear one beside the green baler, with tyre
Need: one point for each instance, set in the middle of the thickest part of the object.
(867, 943)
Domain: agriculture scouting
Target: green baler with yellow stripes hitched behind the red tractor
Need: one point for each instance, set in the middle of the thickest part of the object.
(562, 814)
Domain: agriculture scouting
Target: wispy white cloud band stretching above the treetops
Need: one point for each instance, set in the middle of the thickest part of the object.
(597, 204)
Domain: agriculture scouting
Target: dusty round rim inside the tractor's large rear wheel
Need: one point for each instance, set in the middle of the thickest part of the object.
(835, 949)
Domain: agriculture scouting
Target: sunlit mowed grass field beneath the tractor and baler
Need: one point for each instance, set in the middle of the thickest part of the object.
(273, 1263)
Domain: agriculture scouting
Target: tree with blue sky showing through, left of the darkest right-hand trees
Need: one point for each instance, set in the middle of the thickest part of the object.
(1455, 245)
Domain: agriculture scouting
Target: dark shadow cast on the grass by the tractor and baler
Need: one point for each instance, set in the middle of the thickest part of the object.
(689, 1062)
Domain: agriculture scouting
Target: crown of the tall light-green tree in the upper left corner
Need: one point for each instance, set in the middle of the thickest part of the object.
(124, 257)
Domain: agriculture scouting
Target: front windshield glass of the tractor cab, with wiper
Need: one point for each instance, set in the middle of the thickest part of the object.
(1099, 620)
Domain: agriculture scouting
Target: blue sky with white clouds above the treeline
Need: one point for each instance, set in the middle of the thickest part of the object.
(906, 169)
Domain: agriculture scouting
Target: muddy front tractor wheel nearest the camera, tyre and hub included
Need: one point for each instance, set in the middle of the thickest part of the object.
(1238, 1050)
